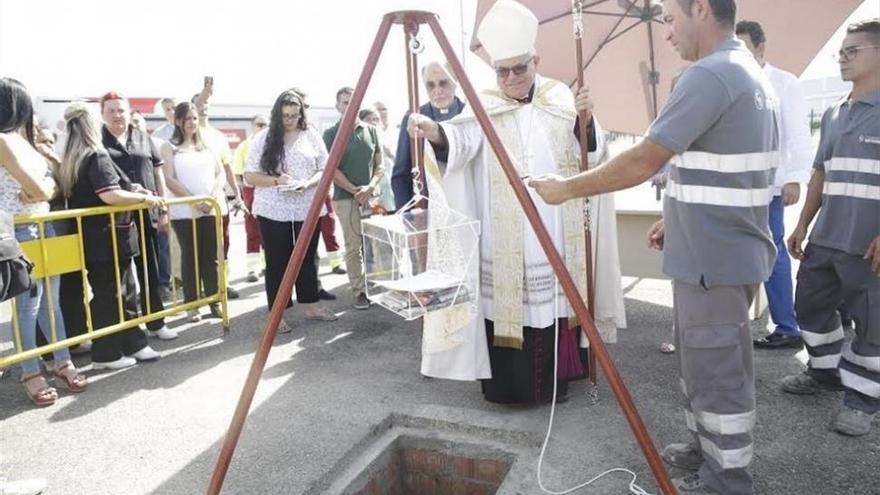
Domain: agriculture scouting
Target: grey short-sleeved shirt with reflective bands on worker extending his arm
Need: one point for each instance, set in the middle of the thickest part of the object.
(721, 121)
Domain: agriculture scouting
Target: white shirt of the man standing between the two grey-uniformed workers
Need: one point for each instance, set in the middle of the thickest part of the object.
(795, 147)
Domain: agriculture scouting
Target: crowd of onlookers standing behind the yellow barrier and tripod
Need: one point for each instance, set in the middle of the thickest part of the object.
(136, 261)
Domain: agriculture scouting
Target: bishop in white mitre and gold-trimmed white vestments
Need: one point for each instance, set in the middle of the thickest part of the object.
(521, 301)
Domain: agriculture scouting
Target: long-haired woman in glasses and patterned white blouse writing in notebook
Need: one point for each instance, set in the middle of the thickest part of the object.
(284, 166)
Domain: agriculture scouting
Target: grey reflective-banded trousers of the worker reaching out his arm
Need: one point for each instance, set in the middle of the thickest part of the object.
(718, 379)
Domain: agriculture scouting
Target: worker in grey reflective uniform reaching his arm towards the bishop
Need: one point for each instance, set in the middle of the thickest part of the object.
(720, 130)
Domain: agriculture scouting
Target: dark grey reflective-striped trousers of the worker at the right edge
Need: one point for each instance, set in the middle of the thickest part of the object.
(826, 278)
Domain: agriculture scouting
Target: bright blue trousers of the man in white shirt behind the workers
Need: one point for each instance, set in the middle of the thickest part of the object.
(779, 289)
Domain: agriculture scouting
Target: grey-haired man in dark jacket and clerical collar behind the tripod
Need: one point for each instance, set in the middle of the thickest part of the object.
(443, 105)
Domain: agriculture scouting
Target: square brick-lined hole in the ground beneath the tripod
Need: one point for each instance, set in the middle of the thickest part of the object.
(425, 466)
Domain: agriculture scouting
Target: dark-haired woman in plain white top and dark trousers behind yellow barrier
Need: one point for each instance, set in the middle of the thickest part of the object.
(192, 169)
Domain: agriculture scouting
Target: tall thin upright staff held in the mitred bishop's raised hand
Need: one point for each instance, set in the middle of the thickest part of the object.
(577, 17)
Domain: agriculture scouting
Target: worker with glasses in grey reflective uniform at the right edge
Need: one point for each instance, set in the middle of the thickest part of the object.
(841, 263)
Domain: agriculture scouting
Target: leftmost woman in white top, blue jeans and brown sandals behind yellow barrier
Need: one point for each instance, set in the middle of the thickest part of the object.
(26, 185)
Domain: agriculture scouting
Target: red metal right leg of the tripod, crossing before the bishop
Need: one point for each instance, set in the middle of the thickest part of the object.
(615, 382)
